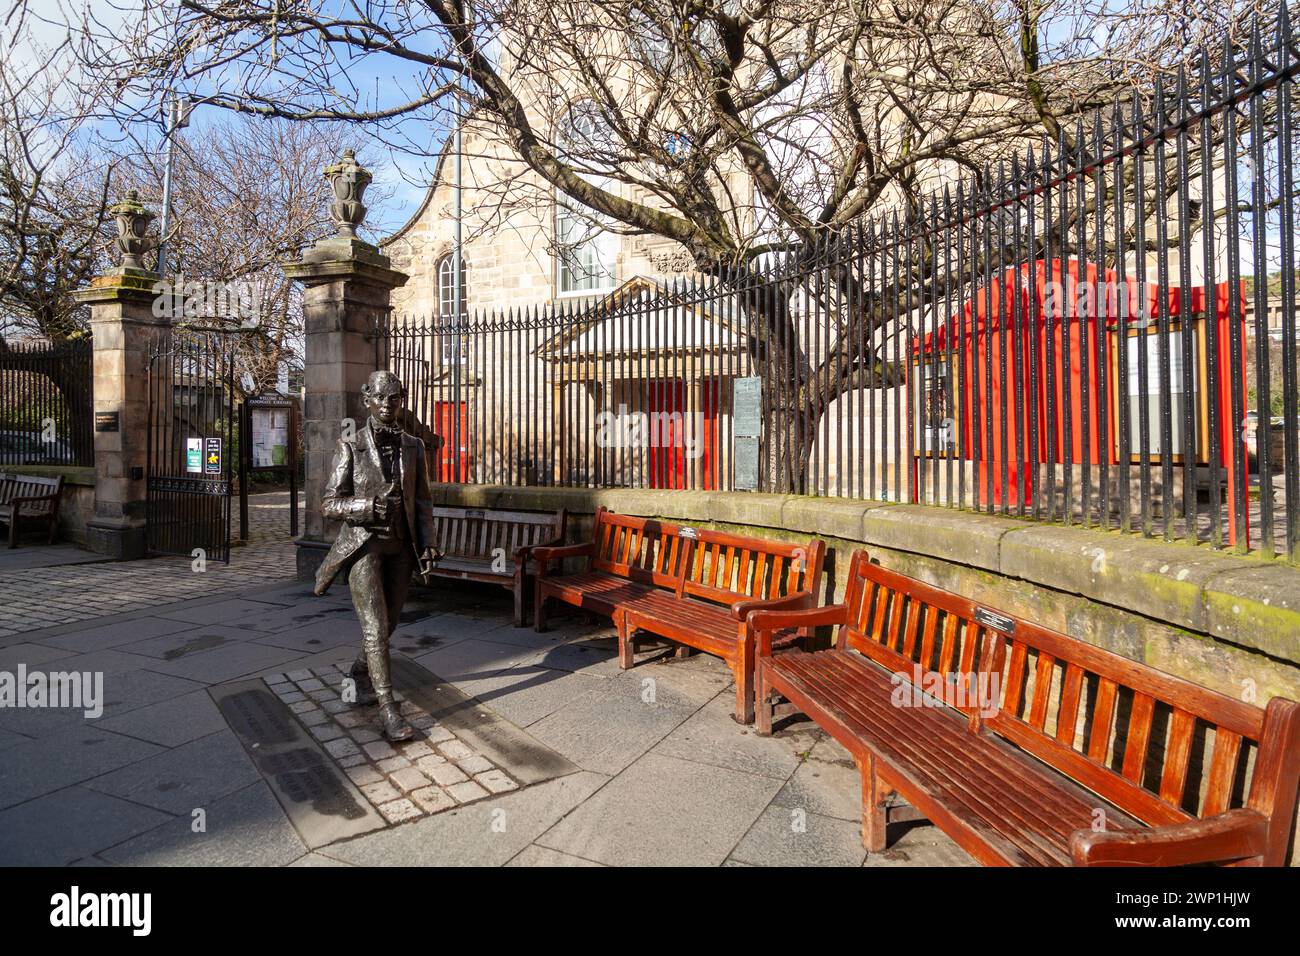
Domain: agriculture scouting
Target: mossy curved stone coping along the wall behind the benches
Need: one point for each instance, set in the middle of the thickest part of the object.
(1249, 602)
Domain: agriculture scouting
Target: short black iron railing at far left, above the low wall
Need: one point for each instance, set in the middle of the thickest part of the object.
(46, 404)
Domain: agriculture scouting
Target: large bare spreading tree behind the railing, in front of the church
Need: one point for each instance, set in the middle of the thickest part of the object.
(735, 128)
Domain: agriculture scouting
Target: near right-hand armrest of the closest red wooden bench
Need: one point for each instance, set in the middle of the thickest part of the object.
(1230, 836)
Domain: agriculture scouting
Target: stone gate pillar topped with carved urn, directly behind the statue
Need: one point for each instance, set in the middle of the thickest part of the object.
(348, 285)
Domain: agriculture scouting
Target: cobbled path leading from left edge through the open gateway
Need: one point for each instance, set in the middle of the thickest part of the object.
(41, 598)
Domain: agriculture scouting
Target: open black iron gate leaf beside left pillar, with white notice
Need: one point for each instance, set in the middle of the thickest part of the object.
(190, 444)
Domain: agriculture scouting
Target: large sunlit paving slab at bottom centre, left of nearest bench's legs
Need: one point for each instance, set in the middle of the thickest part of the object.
(665, 810)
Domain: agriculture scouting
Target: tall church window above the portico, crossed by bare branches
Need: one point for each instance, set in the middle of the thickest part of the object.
(584, 250)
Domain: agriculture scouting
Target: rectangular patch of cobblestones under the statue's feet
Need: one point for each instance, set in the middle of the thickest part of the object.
(430, 775)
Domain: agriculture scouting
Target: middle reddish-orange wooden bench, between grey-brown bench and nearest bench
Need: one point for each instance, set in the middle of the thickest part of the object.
(690, 586)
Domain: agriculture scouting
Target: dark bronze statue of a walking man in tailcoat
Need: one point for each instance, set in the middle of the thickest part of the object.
(379, 487)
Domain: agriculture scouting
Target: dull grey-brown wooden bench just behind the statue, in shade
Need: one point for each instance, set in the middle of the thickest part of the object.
(493, 547)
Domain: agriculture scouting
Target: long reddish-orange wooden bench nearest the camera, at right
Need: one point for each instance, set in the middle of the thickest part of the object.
(1074, 756)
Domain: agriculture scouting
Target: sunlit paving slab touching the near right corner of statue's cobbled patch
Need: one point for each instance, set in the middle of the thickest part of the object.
(488, 833)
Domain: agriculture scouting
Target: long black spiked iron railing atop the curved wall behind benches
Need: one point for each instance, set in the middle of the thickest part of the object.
(1102, 332)
